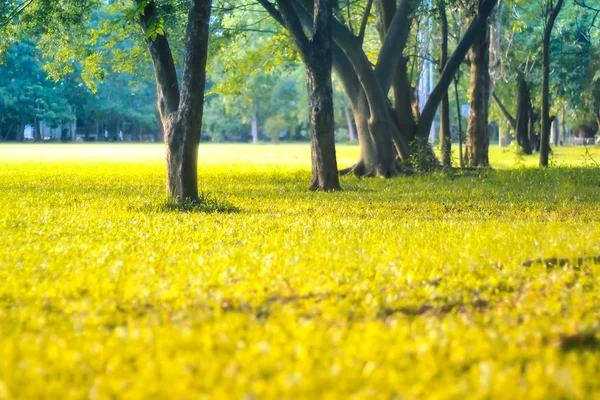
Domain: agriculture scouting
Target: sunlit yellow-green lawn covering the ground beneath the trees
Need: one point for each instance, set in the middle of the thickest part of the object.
(403, 288)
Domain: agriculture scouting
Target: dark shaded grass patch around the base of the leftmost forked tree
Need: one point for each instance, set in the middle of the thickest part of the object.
(206, 203)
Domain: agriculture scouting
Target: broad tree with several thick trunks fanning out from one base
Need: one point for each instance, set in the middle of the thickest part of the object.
(386, 132)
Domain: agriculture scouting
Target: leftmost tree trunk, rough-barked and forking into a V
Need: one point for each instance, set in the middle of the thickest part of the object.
(181, 112)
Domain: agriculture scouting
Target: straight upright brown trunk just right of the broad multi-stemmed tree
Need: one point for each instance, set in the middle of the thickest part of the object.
(477, 129)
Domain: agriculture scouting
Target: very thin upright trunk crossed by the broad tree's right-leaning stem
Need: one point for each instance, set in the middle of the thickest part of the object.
(445, 138)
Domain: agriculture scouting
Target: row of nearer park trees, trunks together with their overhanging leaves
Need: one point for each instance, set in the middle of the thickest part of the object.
(377, 49)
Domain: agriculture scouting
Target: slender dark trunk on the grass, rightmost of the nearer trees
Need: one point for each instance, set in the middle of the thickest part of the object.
(545, 134)
